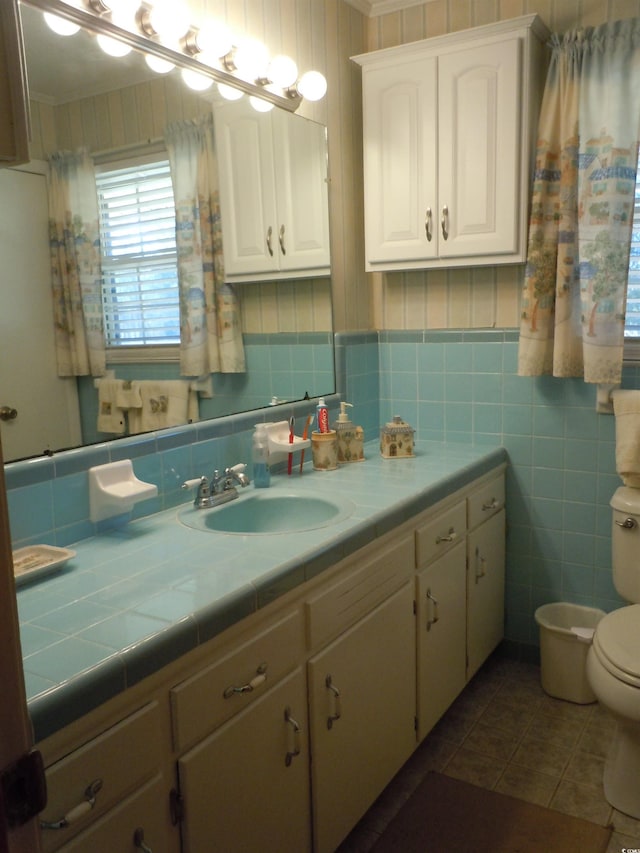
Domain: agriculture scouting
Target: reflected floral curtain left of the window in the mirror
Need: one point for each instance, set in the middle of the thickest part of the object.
(74, 245)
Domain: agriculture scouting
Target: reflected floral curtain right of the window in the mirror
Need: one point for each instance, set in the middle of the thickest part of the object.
(210, 327)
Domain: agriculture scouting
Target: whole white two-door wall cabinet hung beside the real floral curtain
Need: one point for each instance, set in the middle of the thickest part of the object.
(448, 146)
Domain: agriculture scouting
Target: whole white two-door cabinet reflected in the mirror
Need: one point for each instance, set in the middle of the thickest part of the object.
(273, 194)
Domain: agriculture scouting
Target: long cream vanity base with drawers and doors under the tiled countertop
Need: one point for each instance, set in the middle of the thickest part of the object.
(280, 733)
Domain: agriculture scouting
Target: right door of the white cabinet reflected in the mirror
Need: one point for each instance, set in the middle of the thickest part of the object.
(302, 195)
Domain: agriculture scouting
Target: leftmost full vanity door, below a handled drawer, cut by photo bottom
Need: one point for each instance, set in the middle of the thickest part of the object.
(244, 787)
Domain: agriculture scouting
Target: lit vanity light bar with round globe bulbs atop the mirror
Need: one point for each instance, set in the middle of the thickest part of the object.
(161, 29)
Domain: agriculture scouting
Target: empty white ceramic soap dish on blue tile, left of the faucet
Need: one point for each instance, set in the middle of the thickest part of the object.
(114, 489)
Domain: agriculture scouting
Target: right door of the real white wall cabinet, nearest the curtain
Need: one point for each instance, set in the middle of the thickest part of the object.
(479, 149)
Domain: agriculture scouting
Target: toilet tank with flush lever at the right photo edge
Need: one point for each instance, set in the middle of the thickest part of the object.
(625, 543)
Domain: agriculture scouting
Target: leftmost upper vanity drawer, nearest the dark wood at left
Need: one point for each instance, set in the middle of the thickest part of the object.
(122, 758)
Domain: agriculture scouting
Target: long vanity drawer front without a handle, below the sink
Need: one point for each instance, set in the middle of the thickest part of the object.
(362, 589)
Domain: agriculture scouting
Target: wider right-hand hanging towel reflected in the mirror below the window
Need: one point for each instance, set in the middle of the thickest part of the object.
(164, 404)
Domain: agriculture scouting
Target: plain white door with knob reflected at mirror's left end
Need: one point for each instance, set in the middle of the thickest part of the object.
(46, 405)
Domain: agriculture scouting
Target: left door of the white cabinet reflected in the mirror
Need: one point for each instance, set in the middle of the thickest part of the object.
(247, 190)
